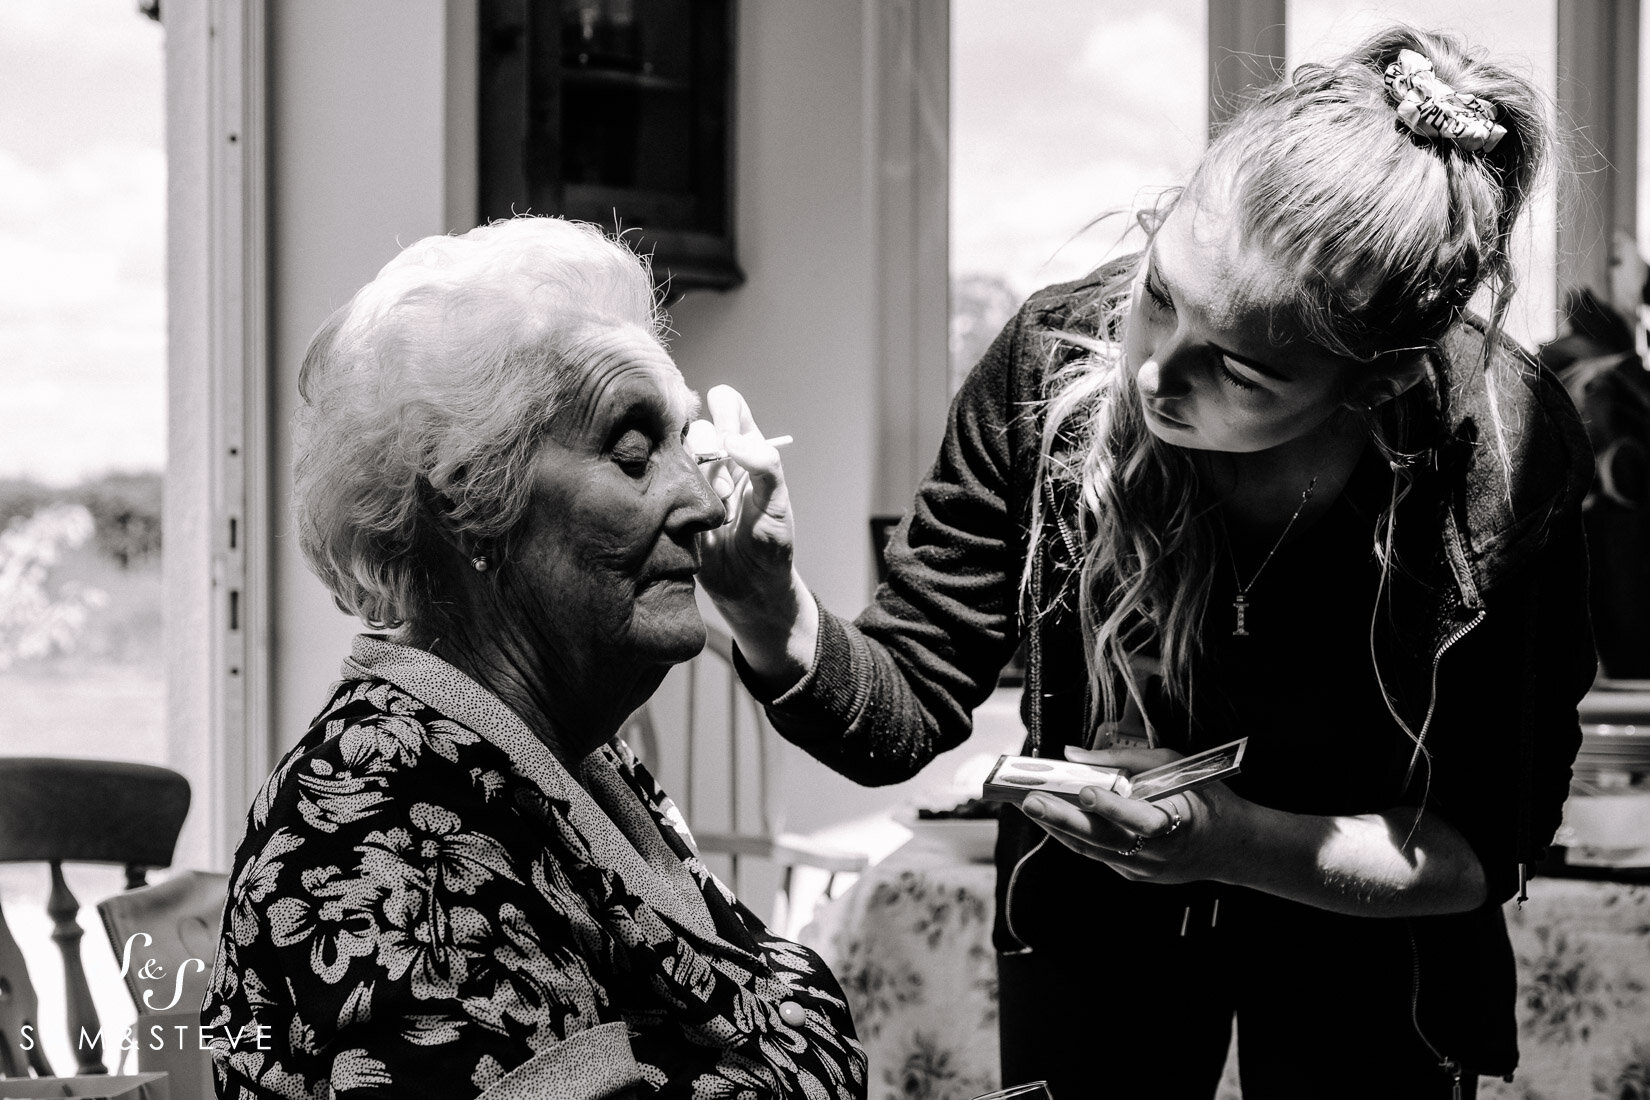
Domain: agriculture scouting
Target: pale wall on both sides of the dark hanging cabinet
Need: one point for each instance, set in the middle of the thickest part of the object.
(374, 146)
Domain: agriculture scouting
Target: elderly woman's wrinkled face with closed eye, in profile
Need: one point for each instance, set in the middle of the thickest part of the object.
(603, 566)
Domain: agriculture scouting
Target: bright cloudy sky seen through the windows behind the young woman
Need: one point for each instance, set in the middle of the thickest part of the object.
(1068, 110)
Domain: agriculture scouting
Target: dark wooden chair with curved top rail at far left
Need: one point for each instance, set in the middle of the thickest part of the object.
(55, 812)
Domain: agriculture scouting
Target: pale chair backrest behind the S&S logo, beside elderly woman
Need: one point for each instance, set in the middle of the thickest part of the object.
(174, 924)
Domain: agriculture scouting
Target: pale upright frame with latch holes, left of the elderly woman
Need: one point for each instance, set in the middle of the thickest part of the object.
(217, 502)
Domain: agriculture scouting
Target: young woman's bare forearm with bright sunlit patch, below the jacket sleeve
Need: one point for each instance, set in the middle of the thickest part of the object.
(1374, 865)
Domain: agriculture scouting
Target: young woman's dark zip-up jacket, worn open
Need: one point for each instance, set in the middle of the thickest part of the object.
(1487, 647)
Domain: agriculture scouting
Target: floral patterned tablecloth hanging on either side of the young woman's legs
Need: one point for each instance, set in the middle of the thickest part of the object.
(912, 946)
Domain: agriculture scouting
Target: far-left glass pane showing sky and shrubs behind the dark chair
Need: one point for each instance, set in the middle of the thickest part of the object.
(83, 360)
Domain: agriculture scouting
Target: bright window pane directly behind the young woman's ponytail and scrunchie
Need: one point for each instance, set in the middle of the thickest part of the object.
(1524, 35)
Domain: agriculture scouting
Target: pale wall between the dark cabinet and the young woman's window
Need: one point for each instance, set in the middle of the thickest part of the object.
(801, 337)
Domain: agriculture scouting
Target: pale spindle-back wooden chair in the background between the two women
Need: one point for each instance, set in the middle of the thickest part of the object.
(725, 728)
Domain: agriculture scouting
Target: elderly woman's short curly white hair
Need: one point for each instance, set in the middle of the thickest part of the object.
(425, 398)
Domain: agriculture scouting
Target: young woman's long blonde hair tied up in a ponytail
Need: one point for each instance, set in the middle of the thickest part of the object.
(1387, 237)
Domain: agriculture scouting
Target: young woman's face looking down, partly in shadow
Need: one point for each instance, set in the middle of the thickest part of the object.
(1212, 369)
